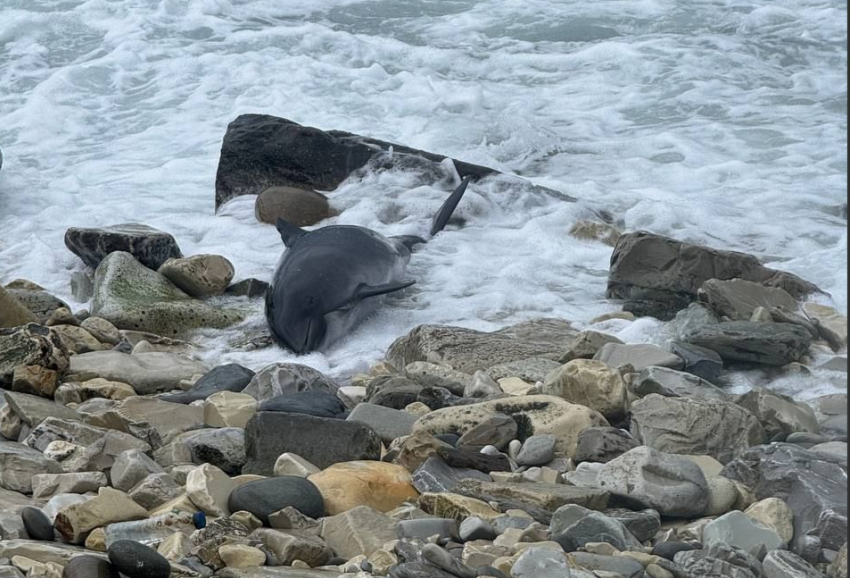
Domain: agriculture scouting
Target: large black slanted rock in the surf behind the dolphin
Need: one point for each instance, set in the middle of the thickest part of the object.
(261, 151)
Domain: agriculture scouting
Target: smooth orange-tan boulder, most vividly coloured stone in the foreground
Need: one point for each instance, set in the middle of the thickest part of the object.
(378, 485)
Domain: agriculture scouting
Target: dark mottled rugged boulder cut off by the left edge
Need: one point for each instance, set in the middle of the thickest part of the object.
(30, 345)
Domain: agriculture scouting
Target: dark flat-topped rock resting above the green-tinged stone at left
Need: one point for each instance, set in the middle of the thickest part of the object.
(151, 247)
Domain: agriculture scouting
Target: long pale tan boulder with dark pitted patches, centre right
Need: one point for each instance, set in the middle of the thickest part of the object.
(535, 415)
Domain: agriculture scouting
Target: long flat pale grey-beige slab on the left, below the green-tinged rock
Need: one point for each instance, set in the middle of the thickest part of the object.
(145, 372)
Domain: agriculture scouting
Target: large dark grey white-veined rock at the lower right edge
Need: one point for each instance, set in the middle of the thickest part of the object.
(808, 483)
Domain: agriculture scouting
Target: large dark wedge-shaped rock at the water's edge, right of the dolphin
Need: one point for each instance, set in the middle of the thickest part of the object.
(647, 268)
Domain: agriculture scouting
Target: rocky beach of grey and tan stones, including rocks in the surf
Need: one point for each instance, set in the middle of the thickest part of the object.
(536, 450)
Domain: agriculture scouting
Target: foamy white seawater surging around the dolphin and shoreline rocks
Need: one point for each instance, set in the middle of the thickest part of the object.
(722, 123)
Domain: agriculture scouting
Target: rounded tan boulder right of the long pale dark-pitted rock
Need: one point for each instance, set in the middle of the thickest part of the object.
(589, 383)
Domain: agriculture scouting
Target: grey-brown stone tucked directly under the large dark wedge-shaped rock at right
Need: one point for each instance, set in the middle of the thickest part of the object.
(737, 298)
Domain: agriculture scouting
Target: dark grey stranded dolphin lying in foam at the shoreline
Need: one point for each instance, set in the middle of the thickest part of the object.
(332, 278)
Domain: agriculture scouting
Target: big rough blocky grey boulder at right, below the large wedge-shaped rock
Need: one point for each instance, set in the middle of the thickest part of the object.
(711, 427)
